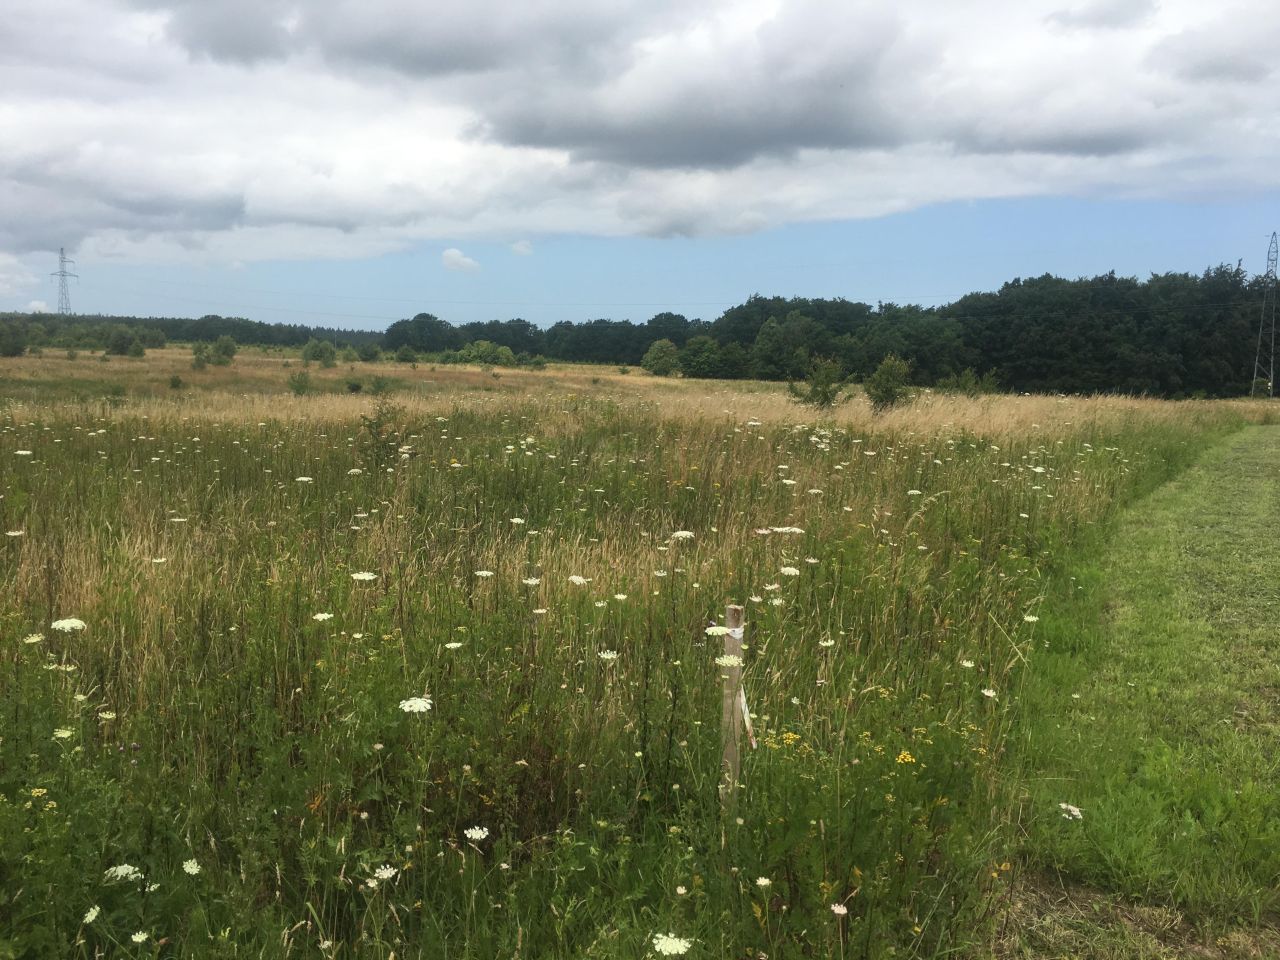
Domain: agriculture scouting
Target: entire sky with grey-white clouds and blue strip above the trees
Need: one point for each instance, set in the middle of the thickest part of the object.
(353, 162)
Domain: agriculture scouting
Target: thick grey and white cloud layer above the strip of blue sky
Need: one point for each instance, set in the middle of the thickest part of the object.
(150, 136)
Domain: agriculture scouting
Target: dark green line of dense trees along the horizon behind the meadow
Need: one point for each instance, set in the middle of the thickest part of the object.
(1169, 336)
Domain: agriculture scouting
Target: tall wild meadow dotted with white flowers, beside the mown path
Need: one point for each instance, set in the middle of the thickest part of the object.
(436, 674)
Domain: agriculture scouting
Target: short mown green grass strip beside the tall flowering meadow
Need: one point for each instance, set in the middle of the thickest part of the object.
(1153, 705)
